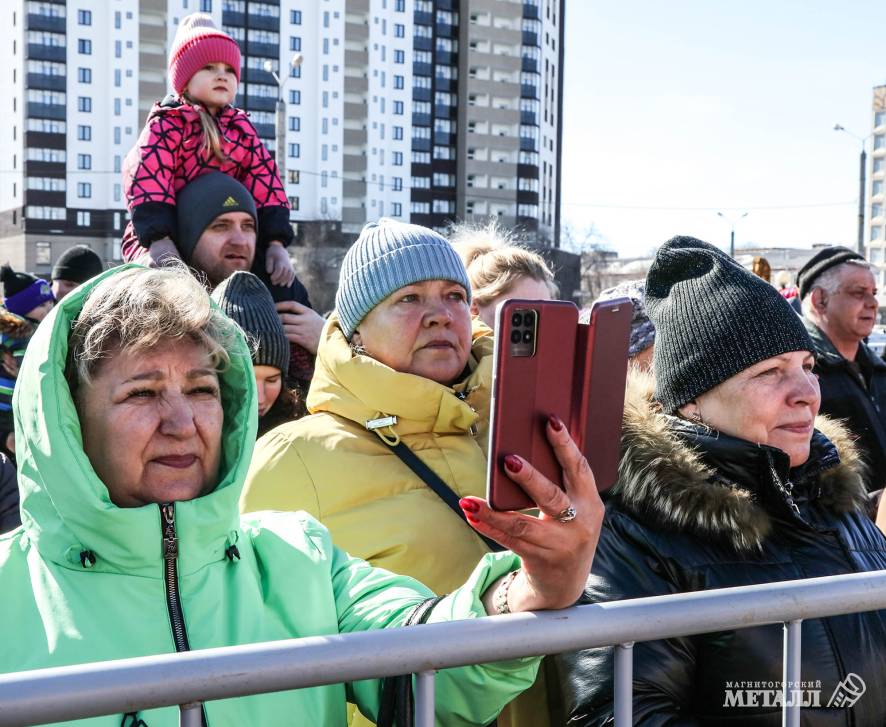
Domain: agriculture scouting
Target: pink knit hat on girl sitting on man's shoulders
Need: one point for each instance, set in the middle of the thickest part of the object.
(197, 43)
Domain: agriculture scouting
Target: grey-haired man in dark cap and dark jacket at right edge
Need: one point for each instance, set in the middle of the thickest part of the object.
(839, 295)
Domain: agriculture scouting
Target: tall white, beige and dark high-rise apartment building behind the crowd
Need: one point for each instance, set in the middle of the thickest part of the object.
(425, 110)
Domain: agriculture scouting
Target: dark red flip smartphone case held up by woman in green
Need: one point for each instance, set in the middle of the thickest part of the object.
(578, 373)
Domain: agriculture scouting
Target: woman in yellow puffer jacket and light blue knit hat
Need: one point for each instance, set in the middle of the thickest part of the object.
(398, 361)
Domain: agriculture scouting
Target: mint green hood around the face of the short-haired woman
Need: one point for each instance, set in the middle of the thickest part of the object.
(66, 508)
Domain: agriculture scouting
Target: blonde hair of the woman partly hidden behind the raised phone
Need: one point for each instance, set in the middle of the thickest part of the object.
(495, 261)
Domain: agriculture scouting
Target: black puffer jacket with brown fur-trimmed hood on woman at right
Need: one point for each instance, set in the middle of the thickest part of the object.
(694, 511)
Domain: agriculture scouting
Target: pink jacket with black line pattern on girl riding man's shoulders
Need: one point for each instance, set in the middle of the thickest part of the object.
(169, 154)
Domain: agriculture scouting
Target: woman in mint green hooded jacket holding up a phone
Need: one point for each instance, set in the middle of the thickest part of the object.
(136, 414)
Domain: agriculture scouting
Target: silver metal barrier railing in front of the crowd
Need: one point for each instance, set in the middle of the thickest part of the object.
(190, 678)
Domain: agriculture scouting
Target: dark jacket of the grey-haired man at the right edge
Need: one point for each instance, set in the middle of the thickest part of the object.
(845, 395)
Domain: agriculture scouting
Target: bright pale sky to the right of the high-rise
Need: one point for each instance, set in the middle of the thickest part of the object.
(674, 111)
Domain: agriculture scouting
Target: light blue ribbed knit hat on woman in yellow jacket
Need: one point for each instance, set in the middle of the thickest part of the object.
(388, 255)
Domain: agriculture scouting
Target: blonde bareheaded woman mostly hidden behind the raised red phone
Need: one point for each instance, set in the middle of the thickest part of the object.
(499, 269)
